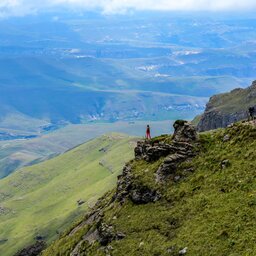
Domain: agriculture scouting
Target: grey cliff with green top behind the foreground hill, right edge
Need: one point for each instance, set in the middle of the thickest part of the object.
(225, 109)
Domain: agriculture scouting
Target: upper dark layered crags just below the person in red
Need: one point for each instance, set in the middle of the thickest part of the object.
(181, 148)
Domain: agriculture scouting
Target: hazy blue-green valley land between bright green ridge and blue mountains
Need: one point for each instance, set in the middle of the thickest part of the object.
(15, 154)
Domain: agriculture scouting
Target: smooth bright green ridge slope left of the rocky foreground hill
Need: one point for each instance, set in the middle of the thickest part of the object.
(42, 199)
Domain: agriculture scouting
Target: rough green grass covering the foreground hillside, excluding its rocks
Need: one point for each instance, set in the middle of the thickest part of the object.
(211, 211)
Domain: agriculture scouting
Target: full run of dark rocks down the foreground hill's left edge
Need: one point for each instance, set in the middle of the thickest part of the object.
(175, 150)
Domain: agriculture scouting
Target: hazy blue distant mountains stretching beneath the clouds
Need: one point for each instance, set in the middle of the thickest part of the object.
(62, 68)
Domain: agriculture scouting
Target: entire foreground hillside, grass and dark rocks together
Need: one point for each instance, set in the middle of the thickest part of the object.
(188, 194)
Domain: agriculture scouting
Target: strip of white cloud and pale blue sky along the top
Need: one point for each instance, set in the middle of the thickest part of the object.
(23, 7)
